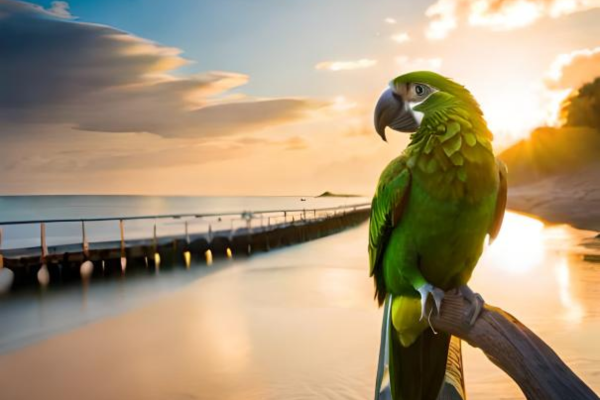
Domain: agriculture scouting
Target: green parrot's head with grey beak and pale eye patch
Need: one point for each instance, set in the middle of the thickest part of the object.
(410, 97)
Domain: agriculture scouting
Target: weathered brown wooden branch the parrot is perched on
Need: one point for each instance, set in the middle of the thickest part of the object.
(515, 349)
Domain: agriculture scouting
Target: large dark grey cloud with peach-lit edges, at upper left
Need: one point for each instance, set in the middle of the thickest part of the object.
(94, 77)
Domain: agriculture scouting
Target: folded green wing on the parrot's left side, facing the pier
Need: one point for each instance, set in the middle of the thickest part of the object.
(386, 210)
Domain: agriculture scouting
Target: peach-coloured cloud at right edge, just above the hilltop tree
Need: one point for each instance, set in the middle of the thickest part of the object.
(572, 70)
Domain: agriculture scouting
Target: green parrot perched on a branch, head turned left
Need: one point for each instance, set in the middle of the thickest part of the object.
(433, 208)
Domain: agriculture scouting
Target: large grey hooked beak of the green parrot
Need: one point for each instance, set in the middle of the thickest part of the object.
(391, 110)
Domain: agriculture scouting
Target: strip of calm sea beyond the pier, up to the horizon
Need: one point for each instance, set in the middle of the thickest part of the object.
(27, 208)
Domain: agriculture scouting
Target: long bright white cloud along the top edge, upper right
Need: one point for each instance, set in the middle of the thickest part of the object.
(497, 14)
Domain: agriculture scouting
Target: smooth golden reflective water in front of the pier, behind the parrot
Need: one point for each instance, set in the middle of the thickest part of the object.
(295, 323)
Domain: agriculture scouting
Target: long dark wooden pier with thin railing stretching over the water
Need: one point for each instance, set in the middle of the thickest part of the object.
(261, 231)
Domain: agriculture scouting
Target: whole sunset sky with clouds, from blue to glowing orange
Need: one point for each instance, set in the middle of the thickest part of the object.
(262, 97)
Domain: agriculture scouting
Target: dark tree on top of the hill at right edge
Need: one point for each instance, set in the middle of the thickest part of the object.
(583, 108)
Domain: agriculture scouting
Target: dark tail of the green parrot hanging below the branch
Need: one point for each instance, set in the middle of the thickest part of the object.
(417, 371)
